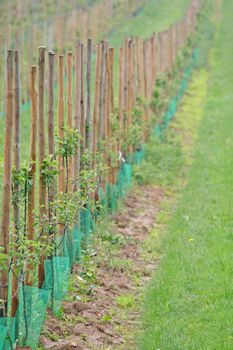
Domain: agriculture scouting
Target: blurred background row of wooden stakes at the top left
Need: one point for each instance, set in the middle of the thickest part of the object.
(57, 32)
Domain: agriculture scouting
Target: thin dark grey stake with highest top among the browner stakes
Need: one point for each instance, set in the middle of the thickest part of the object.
(88, 96)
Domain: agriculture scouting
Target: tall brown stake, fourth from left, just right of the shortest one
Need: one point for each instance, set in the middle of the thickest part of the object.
(41, 156)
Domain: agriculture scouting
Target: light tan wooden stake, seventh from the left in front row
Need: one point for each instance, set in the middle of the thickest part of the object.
(70, 114)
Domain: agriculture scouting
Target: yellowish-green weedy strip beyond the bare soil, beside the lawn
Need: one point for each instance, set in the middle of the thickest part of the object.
(167, 158)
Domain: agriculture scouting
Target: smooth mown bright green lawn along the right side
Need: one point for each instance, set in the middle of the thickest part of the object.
(189, 303)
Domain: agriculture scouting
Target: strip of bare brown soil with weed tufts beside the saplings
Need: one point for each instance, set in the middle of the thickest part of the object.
(106, 316)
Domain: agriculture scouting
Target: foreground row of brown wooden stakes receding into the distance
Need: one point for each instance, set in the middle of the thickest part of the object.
(140, 63)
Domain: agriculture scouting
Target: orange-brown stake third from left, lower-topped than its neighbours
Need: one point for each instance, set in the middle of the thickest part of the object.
(32, 156)
